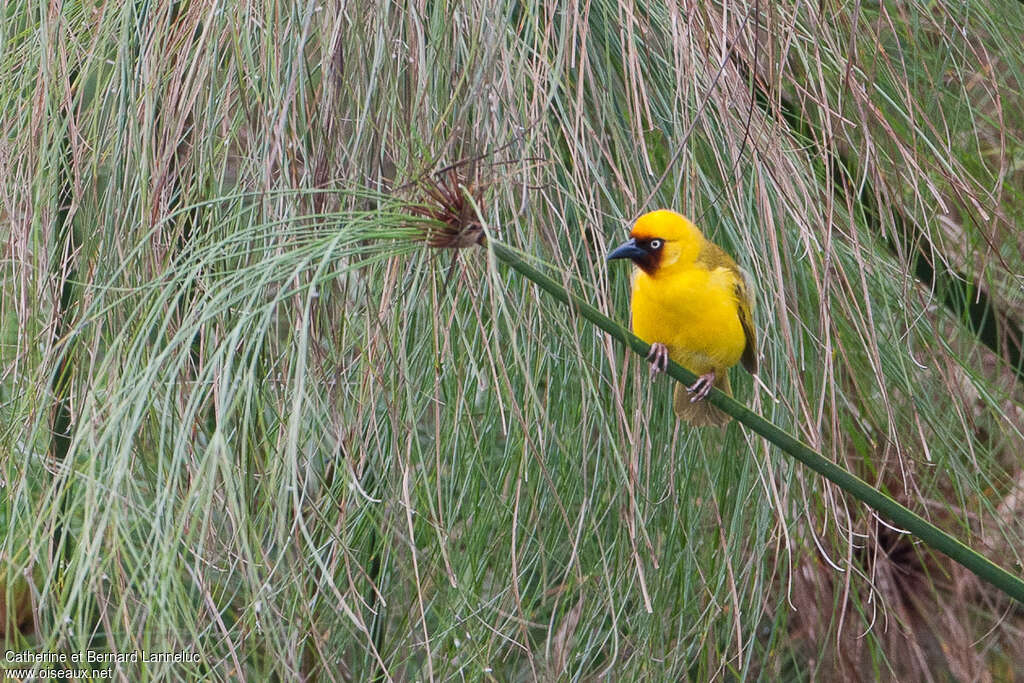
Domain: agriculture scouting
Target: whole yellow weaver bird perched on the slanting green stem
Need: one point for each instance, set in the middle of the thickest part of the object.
(692, 304)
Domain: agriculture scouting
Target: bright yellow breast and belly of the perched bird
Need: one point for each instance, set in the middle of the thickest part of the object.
(695, 314)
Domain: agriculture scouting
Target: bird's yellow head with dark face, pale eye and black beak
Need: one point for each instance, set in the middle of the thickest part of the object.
(660, 242)
